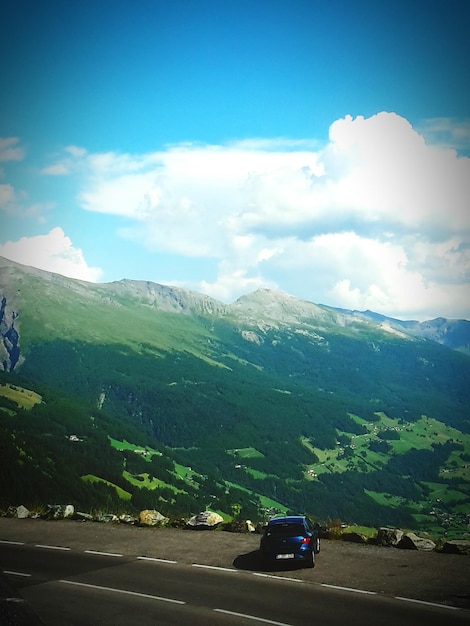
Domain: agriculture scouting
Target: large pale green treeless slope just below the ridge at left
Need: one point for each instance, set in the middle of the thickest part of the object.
(65, 309)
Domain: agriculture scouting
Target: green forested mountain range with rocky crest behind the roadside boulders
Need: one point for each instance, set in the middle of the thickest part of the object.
(151, 395)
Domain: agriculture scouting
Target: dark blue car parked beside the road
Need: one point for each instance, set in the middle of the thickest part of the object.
(291, 538)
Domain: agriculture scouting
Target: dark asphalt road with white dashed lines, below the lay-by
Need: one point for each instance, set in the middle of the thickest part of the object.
(89, 587)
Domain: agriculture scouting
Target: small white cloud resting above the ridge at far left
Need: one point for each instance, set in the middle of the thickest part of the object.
(53, 252)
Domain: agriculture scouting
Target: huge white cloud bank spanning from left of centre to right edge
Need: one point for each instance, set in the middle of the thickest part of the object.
(375, 218)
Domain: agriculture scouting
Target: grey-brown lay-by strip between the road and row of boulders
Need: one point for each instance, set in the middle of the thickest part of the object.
(427, 576)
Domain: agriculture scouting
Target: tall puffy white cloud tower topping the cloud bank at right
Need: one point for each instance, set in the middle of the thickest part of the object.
(391, 175)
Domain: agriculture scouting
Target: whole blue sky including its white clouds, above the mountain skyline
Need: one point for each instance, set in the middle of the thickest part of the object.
(317, 148)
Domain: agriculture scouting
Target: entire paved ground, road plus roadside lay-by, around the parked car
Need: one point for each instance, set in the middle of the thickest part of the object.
(99, 574)
